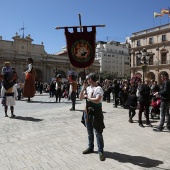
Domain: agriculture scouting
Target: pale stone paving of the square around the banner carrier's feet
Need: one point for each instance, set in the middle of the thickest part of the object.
(55, 139)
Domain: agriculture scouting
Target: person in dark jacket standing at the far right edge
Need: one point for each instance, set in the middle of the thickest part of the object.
(165, 103)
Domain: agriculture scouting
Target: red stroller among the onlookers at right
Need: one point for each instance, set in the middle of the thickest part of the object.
(154, 109)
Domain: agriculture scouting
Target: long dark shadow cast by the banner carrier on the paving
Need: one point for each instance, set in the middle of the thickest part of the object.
(135, 160)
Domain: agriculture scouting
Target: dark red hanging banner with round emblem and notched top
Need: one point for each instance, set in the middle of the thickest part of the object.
(81, 46)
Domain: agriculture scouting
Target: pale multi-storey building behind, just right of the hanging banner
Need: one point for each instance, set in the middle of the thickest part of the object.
(114, 58)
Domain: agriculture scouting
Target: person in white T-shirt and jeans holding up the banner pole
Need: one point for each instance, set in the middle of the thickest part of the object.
(93, 117)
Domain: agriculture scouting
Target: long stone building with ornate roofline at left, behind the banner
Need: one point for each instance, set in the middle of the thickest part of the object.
(46, 65)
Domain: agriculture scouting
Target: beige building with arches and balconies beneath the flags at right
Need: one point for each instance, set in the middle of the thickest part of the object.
(157, 43)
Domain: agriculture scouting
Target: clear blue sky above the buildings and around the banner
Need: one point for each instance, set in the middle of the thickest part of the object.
(40, 17)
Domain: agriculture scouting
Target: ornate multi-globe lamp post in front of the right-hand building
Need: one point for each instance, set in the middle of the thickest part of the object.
(144, 57)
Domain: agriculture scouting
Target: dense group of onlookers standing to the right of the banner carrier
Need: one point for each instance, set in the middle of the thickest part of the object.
(148, 97)
